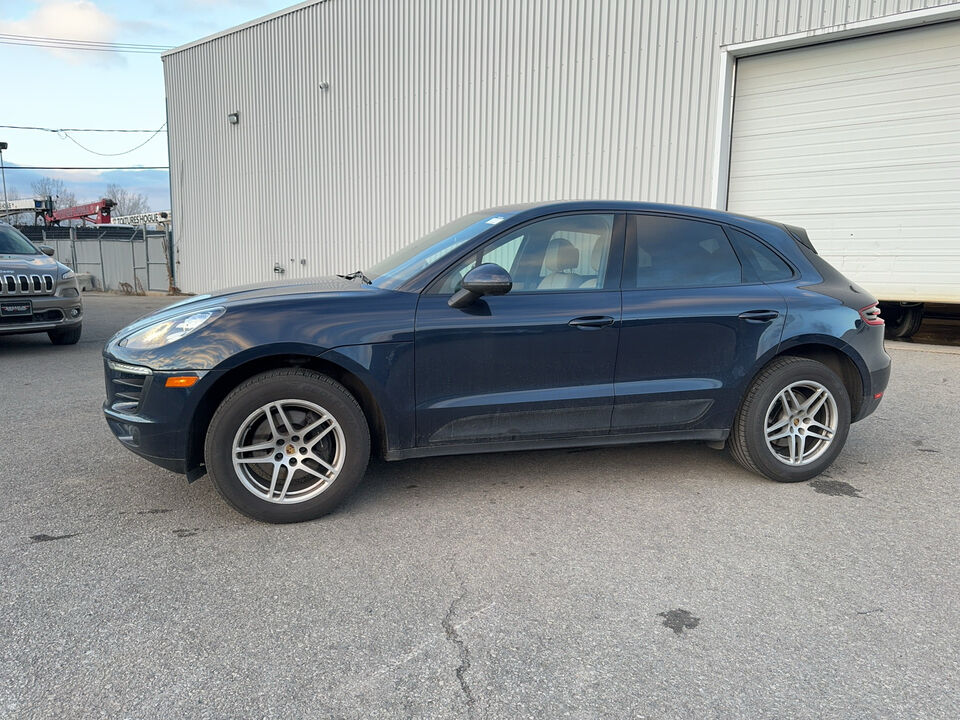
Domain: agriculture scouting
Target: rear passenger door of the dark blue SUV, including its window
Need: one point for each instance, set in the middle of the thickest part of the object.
(694, 325)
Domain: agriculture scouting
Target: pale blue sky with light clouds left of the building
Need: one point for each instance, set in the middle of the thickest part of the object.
(56, 88)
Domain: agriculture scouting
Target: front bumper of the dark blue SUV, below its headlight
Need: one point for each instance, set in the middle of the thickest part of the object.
(149, 418)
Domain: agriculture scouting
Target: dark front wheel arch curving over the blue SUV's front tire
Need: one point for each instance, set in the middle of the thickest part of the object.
(231, 378)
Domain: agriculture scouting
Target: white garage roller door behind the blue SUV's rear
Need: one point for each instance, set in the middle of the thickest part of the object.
(858, 141)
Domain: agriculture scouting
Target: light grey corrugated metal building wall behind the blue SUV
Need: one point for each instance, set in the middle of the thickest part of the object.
(435, 108)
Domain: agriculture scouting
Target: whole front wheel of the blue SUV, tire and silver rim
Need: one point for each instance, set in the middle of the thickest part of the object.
(287, 445)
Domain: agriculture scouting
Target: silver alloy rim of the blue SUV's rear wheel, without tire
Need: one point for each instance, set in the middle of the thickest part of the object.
(801, 423)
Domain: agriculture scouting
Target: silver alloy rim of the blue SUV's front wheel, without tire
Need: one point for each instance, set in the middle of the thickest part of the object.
(288, 451)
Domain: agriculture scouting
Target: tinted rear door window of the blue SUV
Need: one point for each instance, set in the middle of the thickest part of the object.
(676, 252)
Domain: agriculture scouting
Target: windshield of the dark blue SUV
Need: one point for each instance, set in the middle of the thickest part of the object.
(404, 264)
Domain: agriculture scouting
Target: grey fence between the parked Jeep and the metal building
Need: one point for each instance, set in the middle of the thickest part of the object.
(124, 258)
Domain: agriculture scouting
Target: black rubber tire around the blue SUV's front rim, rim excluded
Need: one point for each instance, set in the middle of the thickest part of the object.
(272, 386)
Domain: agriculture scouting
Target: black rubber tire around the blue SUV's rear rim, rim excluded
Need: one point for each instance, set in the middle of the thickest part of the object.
(748, 443)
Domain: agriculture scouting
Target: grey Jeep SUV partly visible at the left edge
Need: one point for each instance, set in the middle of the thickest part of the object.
(37, 294)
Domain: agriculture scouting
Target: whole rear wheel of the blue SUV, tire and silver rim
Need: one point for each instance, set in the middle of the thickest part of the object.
(793, 421)
